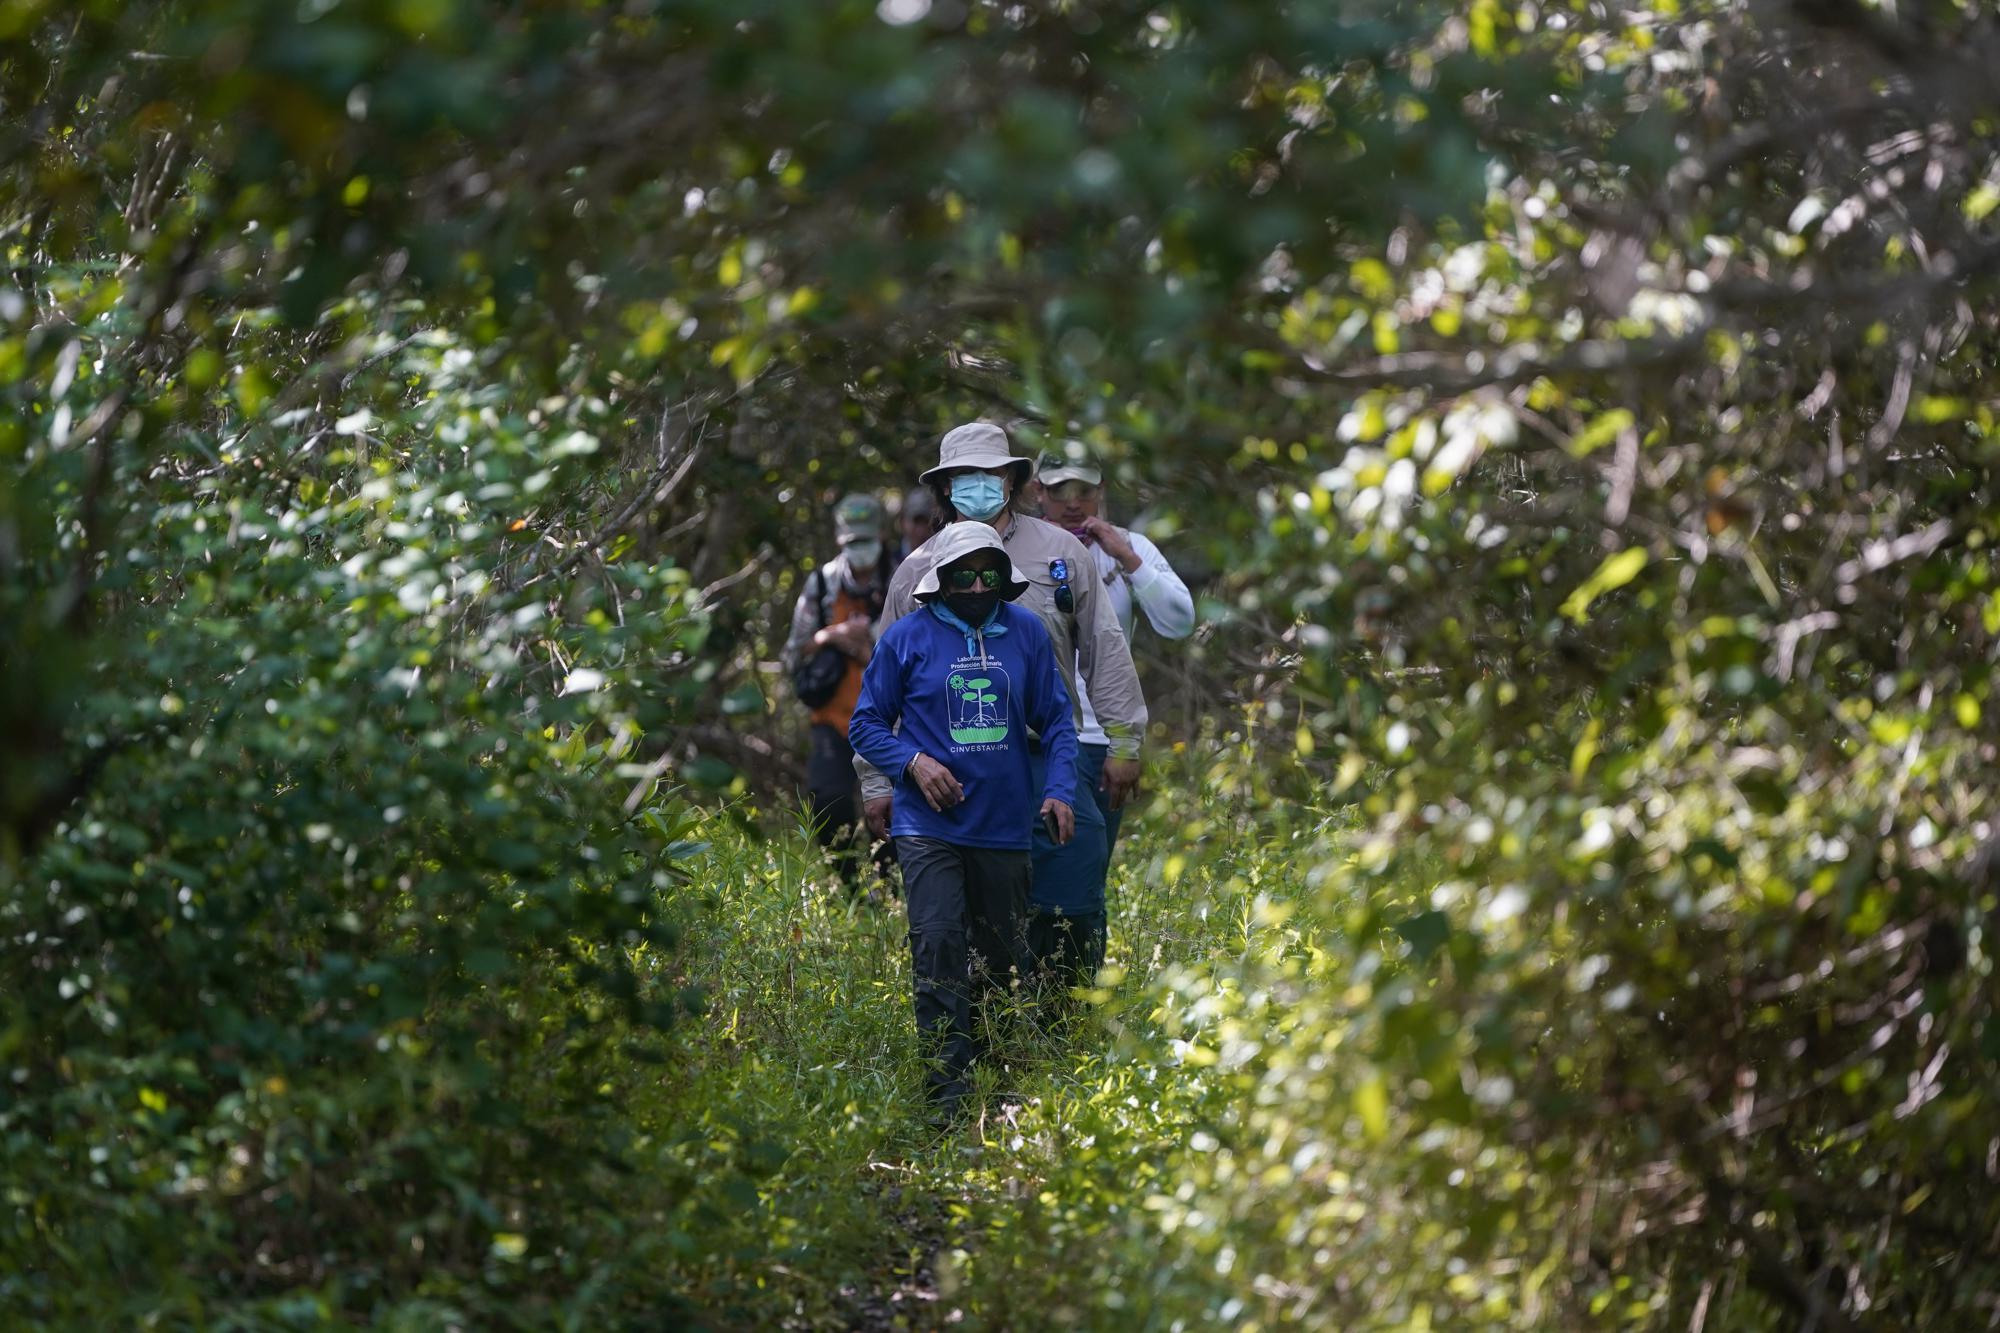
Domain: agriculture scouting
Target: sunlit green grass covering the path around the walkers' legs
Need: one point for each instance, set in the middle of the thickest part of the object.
(799, 1088)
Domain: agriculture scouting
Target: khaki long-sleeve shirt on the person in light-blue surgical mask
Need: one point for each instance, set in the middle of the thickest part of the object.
(1089, 641)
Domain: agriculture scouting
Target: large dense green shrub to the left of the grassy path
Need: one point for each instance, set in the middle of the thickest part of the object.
(315, 992)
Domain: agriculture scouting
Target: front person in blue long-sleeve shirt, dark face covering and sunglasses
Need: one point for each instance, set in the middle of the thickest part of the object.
(951, 706)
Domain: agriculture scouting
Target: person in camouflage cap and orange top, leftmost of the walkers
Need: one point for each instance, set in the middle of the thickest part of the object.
(829, 647)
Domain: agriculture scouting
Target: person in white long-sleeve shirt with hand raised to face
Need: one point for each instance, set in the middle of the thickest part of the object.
(1135, 577)
